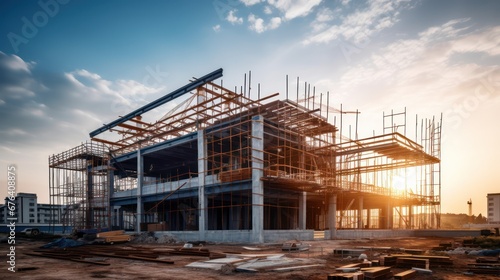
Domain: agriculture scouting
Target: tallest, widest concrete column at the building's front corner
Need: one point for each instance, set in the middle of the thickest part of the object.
(257, 184)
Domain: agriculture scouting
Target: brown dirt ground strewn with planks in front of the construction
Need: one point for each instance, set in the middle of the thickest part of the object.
(46, 268)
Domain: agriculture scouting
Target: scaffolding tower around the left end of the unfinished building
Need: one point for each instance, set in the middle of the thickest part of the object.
(79, 182)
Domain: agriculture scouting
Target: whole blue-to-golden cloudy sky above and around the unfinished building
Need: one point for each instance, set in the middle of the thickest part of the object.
(68, 66)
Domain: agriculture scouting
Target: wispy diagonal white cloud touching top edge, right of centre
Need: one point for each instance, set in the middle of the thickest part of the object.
(360, 25)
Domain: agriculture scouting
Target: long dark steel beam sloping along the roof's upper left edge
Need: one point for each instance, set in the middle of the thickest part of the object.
(160, 101)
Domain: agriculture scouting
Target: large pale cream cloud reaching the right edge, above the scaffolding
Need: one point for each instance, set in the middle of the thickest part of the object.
(427, 67)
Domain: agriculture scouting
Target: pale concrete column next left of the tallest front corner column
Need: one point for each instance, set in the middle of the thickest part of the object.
(202, 201)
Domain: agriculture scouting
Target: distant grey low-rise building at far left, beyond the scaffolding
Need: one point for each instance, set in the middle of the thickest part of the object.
(28, 211)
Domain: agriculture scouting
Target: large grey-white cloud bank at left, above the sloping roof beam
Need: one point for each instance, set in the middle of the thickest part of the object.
(69, 104)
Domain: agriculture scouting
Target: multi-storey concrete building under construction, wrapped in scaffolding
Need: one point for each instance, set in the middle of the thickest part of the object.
(222, 166)
